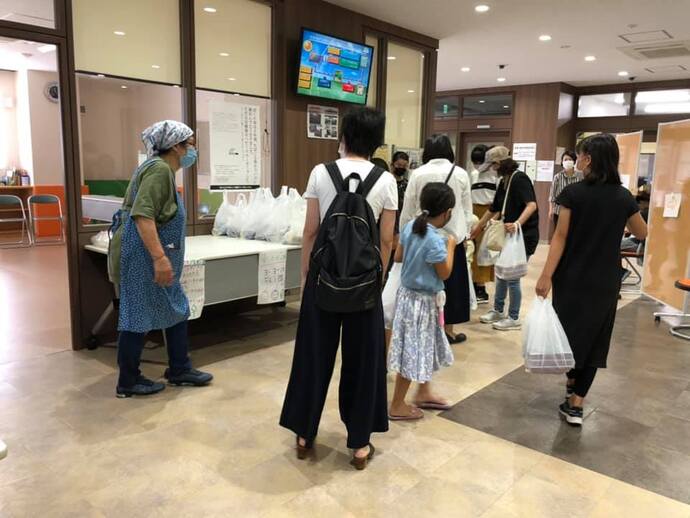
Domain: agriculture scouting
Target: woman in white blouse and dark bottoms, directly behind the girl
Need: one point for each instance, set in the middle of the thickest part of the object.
(438, 166)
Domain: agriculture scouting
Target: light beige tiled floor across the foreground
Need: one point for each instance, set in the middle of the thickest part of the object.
(75, 450)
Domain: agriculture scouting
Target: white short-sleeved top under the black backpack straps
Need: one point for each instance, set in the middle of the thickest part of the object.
(384, 194)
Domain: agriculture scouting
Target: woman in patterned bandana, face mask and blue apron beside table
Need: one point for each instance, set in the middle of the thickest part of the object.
(145, 262)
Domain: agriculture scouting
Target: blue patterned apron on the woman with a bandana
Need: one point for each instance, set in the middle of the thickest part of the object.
(144, 305)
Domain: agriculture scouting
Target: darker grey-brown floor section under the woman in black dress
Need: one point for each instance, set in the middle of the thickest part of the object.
(637, 420)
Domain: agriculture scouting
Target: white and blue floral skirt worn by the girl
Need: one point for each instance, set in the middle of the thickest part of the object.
(419, 345)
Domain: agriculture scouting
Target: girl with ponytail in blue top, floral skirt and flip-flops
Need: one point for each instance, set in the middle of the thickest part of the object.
(419, 345)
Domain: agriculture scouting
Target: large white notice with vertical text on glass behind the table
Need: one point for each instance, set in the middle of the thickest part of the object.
(235, 144)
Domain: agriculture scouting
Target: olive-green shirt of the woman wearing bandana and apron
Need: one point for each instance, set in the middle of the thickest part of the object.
(156, 200)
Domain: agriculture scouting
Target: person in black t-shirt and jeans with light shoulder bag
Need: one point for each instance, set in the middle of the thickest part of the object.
(521, 209)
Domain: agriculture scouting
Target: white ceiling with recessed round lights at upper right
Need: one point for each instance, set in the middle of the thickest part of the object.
(509, 34)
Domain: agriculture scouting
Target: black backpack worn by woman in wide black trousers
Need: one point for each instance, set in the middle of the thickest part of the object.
(346, 260)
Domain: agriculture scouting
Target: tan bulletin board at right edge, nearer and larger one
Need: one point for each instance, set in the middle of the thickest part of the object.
(667, 256)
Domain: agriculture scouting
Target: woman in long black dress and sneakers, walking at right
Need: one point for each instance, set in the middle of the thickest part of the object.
(584, 263)
